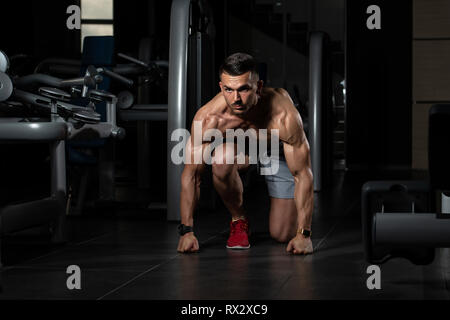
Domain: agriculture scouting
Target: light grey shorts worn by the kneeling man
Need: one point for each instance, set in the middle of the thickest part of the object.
(280, 183)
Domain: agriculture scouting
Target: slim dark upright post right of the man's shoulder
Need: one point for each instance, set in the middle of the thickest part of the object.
(315, 105)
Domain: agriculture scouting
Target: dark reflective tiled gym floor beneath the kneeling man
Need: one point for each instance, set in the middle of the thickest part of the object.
(132, 256)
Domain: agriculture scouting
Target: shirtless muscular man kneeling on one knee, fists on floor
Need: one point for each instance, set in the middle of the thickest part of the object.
(244, 103)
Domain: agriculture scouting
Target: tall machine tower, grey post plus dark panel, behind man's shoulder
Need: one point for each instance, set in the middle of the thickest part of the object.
(186, 65)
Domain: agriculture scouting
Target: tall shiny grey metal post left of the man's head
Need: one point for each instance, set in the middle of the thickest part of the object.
(178, 55)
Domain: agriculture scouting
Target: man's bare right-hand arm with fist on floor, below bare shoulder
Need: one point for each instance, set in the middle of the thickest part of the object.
(297, 154)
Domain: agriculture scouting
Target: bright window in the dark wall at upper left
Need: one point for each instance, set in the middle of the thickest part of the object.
(96, 18)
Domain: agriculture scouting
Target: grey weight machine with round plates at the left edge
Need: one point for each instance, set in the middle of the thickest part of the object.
(59, 122)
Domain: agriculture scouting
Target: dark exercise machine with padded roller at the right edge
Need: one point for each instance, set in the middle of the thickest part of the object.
(406, 218)
